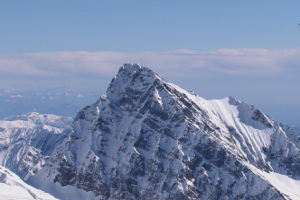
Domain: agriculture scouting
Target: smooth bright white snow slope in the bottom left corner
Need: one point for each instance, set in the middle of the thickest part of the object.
(12, 187)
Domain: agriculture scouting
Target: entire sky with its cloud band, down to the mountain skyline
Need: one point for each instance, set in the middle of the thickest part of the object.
(246, 49)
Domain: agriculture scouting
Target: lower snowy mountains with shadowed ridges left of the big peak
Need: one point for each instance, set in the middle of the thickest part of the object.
(27, 141)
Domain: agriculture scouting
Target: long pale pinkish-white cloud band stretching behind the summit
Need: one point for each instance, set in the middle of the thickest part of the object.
(179, 63)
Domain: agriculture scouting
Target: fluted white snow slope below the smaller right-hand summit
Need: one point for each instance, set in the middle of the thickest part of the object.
(254, 135)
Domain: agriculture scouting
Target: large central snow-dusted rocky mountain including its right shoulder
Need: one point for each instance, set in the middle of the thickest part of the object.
(146, 138)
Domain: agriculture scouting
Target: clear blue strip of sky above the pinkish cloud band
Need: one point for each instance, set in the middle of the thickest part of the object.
(134, 26)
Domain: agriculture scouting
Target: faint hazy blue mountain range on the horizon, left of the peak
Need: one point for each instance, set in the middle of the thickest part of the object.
(63, 101)
